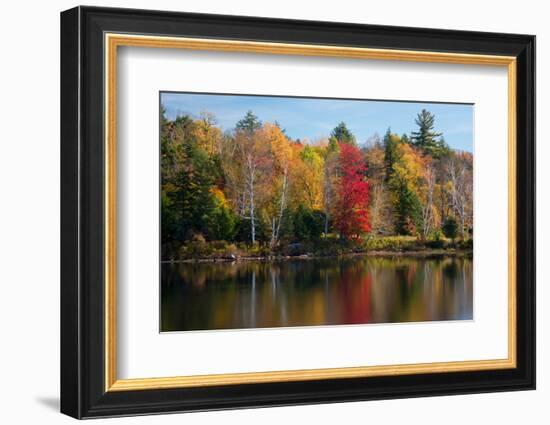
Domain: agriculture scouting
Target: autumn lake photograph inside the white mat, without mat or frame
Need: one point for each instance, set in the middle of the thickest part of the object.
(279, 211)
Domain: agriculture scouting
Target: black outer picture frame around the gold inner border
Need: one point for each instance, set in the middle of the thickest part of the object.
(83, 392)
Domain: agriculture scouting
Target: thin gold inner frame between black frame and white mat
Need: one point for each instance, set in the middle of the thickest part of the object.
(113, 41)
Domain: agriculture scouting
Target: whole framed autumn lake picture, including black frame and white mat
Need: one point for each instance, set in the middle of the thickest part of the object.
(261, 212)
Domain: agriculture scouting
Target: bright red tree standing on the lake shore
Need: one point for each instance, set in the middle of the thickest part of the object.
(351, 215)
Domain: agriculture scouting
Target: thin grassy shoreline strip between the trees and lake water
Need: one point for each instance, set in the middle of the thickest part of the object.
(424, 253)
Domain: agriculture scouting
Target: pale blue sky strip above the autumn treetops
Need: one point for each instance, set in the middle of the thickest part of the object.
(313, 118)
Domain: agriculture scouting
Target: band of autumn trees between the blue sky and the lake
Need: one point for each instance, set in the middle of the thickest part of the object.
(256, 185)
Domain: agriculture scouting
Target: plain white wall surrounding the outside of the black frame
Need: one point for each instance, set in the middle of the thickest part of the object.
(29, 225)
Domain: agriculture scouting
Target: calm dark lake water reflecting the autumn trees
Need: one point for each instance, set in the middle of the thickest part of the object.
(308, 292)
